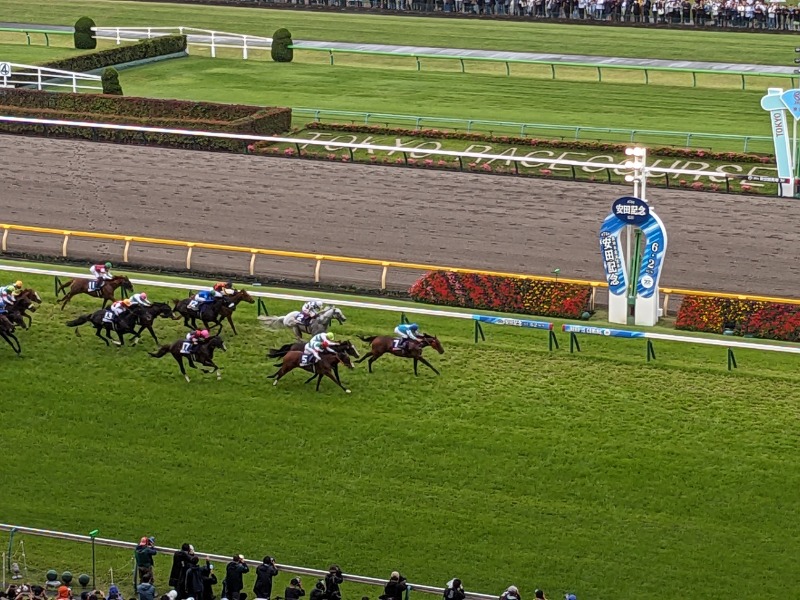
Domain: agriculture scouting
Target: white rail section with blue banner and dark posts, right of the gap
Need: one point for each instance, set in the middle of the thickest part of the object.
(574, 344)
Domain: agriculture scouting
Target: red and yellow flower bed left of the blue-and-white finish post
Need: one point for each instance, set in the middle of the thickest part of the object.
(505, 294)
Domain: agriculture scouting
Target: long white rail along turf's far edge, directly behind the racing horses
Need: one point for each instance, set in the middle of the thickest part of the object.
(413, 310)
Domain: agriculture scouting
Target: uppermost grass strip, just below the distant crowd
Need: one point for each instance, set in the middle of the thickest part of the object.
(521, 36)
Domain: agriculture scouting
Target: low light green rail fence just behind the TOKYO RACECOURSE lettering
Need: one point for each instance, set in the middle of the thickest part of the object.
(686, 139)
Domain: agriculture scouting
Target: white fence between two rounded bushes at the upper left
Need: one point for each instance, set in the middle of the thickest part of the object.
(194, 37)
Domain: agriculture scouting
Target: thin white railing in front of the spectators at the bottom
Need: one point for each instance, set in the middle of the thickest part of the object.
(223, 558)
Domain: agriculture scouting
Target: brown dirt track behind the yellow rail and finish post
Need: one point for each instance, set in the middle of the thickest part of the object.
(716, 242)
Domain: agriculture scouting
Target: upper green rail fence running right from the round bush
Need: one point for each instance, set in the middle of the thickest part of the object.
(418, 57)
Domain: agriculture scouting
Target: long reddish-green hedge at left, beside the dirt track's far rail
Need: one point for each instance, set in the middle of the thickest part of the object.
(175, 114)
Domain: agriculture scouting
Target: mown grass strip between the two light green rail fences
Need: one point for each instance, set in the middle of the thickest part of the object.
(431, 93)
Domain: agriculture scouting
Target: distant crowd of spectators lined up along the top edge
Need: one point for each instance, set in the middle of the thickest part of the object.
(741, 14)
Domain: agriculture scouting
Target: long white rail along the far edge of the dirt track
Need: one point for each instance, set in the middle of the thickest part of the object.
(618, 169)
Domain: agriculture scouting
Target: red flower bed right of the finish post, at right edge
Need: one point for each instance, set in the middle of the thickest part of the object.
(766, 320)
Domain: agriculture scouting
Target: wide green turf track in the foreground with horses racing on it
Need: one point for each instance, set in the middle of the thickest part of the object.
(595, 473)
